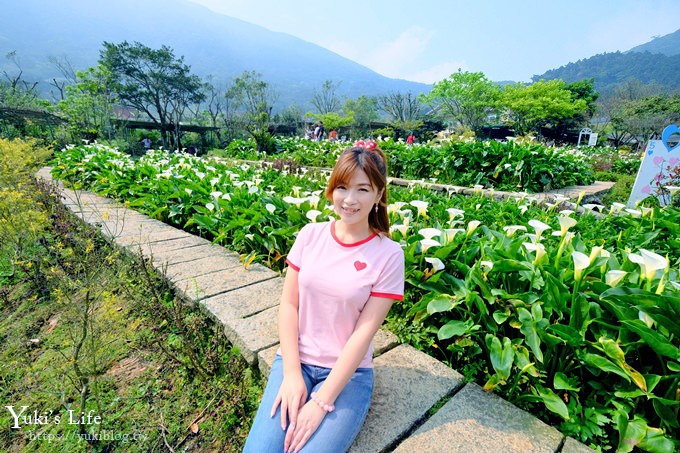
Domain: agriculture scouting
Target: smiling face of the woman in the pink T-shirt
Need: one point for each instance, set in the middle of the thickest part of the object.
(354, 200)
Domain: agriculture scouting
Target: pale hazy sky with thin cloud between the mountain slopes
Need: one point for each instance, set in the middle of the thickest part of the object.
(427, 40)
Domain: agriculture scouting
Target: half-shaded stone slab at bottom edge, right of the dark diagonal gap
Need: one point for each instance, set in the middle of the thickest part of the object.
(476, 418)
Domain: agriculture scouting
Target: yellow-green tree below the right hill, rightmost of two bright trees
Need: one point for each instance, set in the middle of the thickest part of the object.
(528, 108)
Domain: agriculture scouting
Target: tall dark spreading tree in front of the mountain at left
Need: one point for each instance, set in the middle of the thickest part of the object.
(154, 82)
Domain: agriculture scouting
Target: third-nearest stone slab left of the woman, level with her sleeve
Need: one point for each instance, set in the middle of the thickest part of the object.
(204, 286)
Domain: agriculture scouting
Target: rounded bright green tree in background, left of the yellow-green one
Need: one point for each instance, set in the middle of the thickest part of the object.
(465, 98)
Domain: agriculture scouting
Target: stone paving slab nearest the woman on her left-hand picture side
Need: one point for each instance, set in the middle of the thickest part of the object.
(254, 334)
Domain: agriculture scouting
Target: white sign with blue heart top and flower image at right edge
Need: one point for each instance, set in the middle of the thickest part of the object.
(659, 173)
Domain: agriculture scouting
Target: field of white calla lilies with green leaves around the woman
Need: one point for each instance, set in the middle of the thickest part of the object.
(575, 318)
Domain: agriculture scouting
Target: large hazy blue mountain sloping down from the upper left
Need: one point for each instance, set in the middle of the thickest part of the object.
(212, 44)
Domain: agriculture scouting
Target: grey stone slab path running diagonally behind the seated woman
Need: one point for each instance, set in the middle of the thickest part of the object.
(419, 404)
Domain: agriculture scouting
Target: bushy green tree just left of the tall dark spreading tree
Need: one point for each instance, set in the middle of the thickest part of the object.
(89, 103)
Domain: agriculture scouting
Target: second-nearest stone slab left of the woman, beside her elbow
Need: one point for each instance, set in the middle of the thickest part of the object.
(245, 302)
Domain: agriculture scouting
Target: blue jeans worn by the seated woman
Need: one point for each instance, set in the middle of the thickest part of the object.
(338, 429)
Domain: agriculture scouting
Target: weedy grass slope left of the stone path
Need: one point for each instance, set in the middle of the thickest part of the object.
(94, 335)
